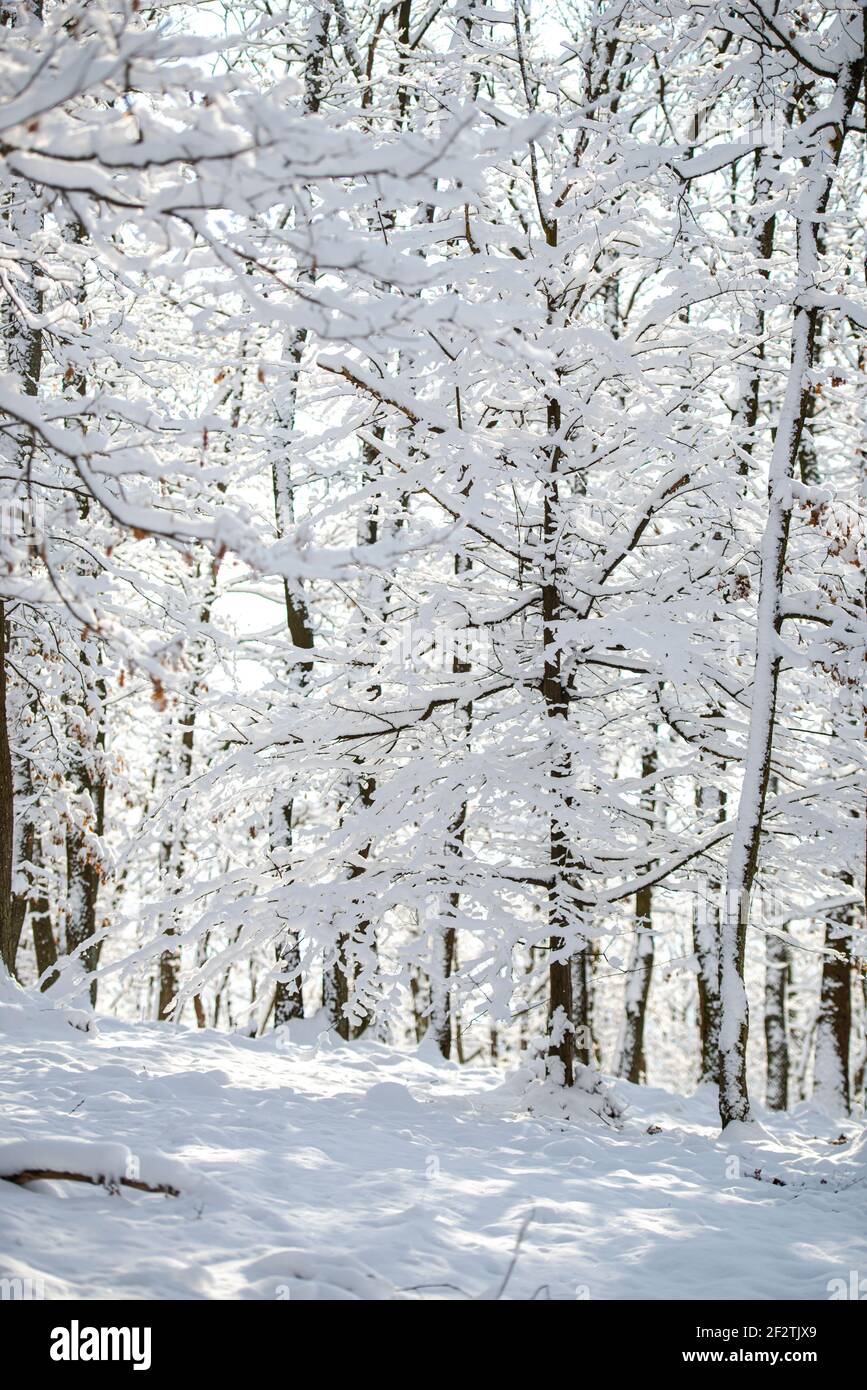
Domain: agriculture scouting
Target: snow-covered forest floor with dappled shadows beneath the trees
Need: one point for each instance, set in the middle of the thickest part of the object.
(319, 1171)
